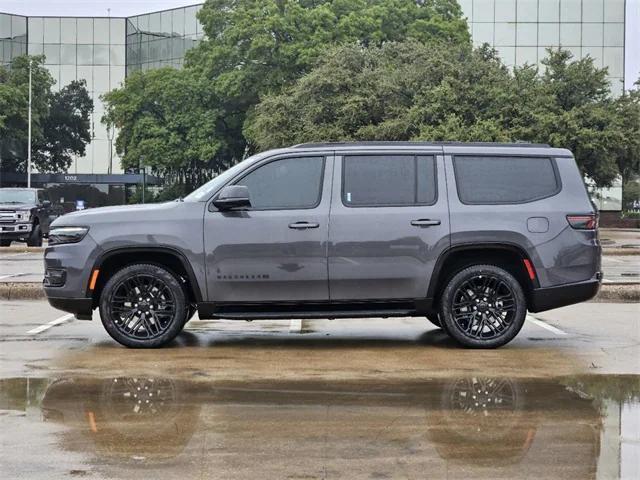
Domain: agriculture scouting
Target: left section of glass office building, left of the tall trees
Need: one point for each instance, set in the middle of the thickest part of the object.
(101, 51)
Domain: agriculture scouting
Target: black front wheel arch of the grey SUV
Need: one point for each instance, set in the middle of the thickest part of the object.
(113, 260)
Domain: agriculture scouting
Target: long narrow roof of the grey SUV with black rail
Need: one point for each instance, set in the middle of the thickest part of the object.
(460, 148)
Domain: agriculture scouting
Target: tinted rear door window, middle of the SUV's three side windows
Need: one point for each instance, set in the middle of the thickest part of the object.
(388, 180)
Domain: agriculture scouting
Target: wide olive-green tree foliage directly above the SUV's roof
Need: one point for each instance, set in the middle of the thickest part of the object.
(415, 91)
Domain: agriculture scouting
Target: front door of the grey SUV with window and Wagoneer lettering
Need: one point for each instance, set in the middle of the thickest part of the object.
(275, 251)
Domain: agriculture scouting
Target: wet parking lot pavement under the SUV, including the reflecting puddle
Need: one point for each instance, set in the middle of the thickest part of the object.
(365, 398)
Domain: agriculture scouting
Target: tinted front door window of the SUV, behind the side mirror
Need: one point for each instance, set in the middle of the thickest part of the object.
(286, 183)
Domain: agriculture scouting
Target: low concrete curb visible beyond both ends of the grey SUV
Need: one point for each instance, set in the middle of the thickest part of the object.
(609, 292)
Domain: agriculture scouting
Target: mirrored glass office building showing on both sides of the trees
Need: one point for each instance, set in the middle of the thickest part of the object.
(103, 51)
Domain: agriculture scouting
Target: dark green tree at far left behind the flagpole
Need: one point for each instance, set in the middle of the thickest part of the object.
(60, 120)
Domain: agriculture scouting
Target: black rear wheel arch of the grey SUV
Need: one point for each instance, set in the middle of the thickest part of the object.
(508, 256)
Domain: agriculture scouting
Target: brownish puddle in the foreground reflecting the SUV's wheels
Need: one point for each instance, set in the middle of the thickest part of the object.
(471, 427)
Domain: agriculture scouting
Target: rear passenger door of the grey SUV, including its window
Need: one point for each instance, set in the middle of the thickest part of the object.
(389, 222)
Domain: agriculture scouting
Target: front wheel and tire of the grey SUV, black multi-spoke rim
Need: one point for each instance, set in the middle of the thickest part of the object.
(148, 323)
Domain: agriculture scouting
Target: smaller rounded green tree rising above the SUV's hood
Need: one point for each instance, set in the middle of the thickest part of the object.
(168, 119)
